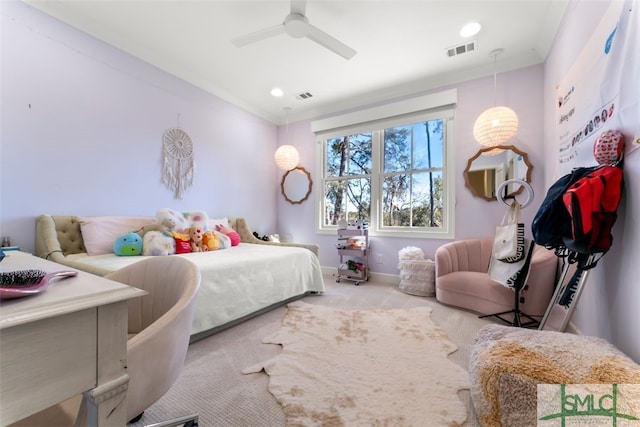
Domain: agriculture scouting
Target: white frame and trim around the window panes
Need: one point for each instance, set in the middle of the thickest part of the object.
(429, 107)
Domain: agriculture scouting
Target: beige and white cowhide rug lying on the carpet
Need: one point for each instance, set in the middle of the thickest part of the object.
(386, 367)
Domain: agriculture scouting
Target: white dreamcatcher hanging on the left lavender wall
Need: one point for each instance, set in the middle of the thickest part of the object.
(178, 163)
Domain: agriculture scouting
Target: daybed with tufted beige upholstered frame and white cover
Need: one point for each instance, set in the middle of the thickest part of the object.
(237, 282)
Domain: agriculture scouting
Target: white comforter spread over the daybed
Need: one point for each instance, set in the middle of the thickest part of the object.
(238, 281)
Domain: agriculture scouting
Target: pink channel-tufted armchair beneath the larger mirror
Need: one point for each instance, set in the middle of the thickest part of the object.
(462, 279)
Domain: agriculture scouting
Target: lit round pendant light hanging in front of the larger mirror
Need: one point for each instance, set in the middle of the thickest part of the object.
(498, 124)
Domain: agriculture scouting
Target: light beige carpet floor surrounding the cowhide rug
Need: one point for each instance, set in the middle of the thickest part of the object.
(212, 383)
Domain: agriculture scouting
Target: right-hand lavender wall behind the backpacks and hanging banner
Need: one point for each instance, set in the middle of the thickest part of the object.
(609, 305)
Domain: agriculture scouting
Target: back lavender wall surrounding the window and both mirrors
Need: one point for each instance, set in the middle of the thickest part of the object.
(475, 217)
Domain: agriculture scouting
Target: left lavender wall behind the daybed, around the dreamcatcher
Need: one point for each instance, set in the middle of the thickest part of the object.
(82, 127)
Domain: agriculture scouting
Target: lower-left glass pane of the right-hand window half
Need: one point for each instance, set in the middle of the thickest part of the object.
(395, 201)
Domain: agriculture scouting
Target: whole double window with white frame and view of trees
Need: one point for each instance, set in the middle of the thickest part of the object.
(394, 173)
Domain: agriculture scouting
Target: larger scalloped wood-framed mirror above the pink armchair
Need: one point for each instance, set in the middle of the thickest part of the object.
(491, 166)
